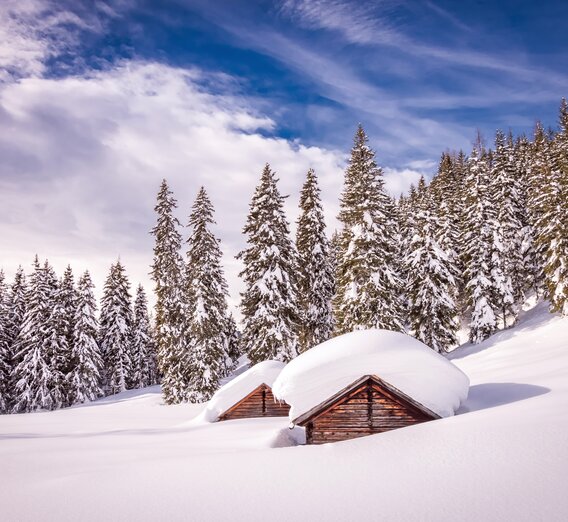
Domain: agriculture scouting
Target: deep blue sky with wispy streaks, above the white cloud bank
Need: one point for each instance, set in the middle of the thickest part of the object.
(421, 76)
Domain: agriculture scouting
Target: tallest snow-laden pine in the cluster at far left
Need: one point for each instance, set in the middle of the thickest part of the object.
(37, 376)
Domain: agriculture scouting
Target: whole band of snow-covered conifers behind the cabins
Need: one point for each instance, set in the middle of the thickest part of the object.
(461, 250)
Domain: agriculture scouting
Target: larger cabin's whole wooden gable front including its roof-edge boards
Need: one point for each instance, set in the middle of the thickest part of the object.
(368, 406)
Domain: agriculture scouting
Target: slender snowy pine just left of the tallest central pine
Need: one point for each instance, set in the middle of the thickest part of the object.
(315, 271)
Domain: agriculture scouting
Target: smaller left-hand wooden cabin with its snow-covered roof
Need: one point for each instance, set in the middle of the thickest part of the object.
(248, 395)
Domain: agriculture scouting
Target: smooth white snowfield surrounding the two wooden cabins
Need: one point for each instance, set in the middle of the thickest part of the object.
(127, 458)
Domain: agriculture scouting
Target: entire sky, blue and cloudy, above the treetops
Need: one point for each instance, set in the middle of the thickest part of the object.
(101, 99)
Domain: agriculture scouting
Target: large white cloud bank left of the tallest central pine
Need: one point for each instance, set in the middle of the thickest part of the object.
(83, 158)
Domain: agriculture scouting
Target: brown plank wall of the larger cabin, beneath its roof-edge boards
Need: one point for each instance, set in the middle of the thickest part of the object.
(367, 410)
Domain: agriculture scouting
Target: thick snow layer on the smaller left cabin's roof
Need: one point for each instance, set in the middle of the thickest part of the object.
(228, 395)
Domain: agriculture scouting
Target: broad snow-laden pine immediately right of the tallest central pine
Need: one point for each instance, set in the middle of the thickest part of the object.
(431, 286)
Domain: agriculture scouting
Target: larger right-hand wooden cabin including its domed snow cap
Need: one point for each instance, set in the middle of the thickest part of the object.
(366, 382)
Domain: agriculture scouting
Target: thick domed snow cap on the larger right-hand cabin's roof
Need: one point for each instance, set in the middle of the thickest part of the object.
(398, 359)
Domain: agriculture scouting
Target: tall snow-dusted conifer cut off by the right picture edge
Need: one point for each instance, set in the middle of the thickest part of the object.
(556, 220)
